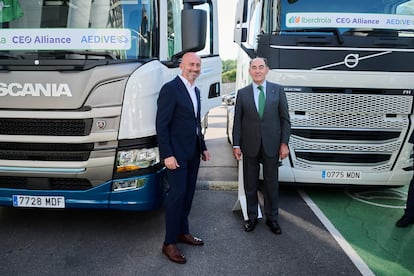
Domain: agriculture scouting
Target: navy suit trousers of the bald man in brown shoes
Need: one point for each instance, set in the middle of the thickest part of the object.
(182, 184)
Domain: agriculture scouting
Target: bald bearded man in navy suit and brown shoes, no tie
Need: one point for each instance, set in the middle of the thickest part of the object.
(181, 144)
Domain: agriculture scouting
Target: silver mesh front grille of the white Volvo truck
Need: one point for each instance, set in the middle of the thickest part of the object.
(348, 129)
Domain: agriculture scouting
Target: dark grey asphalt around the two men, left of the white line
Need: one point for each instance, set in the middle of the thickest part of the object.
(88, 242)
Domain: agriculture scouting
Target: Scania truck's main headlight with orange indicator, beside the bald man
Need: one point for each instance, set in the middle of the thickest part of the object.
(132, 160)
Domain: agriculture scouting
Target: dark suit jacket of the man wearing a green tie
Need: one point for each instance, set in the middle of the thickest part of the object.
(249, 131)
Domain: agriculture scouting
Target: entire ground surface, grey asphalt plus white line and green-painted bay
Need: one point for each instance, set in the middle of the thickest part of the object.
(324, 232)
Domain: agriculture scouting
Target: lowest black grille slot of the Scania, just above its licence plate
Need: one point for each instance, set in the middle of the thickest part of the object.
(40, 183)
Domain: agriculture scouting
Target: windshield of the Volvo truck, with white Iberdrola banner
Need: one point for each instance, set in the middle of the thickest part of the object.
(351, 17)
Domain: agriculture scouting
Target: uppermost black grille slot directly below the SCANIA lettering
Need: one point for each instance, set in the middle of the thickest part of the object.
(45, 127)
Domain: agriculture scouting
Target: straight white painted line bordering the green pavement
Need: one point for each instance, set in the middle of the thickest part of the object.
(352, 254)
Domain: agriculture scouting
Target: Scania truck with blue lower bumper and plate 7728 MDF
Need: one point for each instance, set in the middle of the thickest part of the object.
(79, 81)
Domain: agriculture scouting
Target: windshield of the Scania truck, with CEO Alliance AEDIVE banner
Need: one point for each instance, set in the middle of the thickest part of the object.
(77, 29)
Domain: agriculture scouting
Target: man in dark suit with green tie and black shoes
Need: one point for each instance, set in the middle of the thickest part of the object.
(261, 133)
